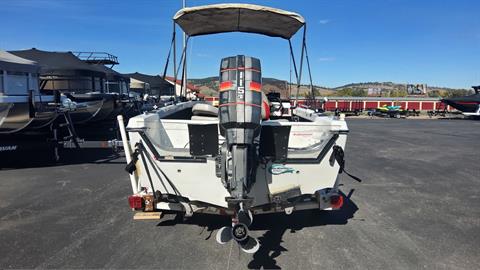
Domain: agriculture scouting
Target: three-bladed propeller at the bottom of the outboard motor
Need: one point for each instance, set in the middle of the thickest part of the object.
(239, 232)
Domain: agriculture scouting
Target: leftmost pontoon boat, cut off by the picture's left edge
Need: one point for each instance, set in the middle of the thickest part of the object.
(22, 106)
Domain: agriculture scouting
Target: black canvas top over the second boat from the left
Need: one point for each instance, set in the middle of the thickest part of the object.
(59, 63)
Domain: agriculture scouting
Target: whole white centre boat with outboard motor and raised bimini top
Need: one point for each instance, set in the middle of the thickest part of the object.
(235, 160)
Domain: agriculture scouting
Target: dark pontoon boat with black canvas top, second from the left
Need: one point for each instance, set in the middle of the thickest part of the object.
(82, 83)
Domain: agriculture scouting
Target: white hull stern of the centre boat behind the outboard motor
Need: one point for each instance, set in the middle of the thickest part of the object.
(307, 171)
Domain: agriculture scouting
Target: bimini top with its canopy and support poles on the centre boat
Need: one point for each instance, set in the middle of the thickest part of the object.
(224, 18)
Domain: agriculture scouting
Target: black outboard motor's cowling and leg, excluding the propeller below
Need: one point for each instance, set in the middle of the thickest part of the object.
(240, 113)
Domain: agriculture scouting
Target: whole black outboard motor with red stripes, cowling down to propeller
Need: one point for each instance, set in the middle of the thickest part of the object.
(240, 113)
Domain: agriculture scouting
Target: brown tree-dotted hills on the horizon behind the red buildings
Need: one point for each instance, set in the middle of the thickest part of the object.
(209, 87)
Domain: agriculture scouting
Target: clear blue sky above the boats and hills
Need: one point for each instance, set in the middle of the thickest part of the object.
(436, 42)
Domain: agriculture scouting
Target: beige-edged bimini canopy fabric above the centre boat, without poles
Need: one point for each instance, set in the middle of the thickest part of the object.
(221, 18)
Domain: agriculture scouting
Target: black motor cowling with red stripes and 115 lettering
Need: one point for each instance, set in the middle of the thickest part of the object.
(240, 103)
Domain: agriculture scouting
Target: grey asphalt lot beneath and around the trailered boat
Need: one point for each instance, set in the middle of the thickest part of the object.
(419, 207)
